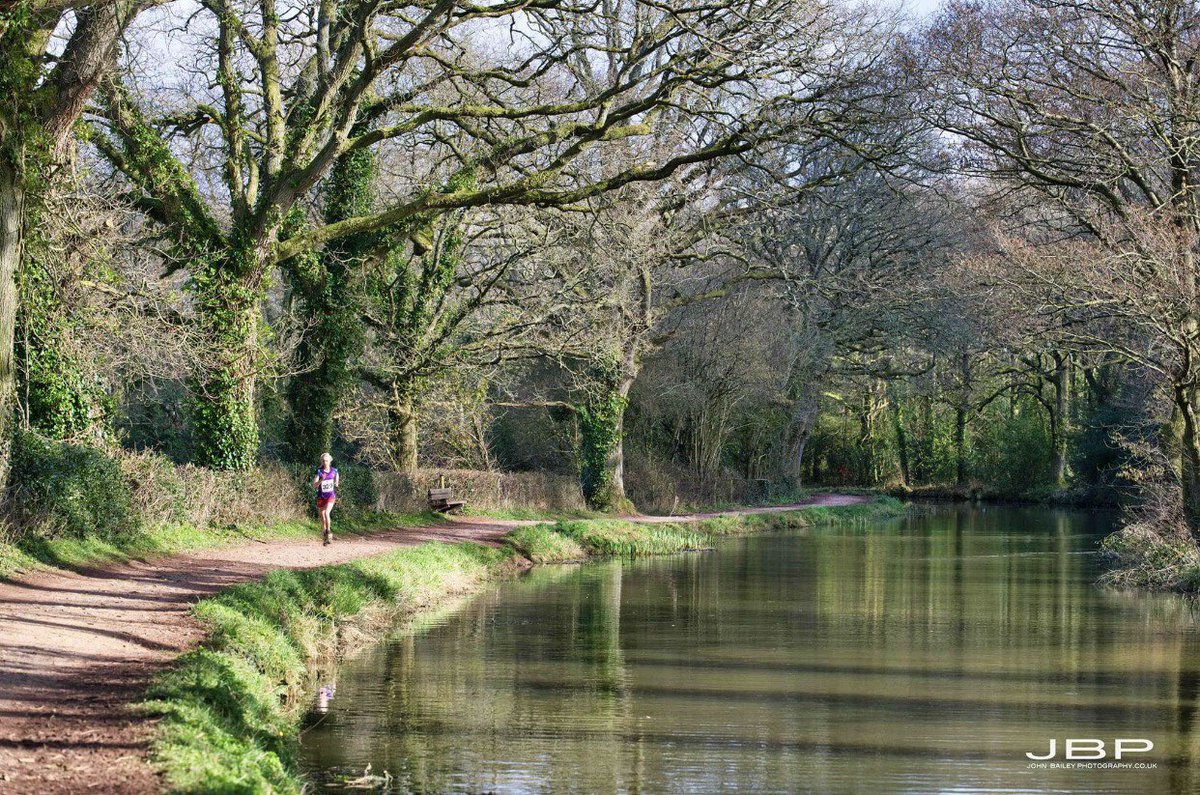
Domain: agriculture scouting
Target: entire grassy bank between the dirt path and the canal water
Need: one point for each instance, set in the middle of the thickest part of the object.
(230, 712)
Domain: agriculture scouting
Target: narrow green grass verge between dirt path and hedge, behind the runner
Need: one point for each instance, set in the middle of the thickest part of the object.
(31, 553)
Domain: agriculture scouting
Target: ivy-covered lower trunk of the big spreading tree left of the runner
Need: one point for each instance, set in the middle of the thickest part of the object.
(225, 420)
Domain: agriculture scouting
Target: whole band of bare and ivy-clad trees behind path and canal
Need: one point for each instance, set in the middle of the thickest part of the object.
(719, 253)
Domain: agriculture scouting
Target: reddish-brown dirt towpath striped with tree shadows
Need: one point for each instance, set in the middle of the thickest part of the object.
(79, 649)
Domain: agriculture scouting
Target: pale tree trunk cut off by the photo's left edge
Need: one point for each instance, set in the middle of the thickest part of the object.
(13, 214)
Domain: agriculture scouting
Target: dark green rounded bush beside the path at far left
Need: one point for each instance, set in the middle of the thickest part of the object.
(67, 489)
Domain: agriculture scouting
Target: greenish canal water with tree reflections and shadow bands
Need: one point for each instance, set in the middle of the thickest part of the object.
(925, 655)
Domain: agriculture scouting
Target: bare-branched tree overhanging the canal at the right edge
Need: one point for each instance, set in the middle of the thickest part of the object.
(1083, 118)
